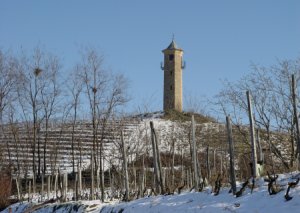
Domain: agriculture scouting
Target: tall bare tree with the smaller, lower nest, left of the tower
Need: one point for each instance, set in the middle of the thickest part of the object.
(105, 92)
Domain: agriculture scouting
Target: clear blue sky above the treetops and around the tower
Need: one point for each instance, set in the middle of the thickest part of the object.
(219, 38)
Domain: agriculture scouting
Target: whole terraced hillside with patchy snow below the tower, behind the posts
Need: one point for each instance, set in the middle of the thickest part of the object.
(65, 145)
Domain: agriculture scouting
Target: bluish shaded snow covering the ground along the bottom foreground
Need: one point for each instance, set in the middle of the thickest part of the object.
(258, 201)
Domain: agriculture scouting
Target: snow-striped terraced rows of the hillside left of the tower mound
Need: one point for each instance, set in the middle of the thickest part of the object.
(57, 145)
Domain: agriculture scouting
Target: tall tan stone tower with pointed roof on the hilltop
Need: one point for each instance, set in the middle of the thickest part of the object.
(173, 65)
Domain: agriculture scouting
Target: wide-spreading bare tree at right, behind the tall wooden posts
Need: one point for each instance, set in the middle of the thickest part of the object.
(272, 104)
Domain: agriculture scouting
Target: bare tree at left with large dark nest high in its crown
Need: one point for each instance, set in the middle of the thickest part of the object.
(37, 94)
